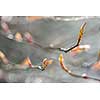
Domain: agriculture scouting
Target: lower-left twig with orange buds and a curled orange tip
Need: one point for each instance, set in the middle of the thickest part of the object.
(25, 64)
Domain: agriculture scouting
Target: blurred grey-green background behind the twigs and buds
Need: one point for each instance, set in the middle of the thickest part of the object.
(60, 31)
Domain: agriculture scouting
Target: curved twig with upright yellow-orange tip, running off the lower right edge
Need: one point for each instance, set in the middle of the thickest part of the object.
(66, 69)
